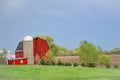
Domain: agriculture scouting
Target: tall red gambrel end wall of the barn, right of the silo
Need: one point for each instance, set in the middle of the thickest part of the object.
(41, 47)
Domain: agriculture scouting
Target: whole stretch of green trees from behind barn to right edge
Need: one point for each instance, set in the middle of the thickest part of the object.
(90, 54)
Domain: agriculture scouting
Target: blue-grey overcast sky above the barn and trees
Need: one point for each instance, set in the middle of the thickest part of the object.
(68, 21)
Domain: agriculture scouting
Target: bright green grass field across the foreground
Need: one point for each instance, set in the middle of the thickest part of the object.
(57, 73)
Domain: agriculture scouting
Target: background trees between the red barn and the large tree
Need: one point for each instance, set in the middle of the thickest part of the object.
(57, 50)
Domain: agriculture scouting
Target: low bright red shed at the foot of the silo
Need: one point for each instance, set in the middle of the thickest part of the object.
(23, 61)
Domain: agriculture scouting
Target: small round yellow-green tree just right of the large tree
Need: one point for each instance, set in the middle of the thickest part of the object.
(105, 60)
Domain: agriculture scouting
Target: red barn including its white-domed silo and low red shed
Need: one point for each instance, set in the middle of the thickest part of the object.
(31, 51)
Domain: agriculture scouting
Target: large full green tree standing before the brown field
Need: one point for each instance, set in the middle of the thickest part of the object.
(88, 53)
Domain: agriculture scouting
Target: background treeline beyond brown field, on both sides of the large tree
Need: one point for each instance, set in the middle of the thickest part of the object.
(62, 51)
